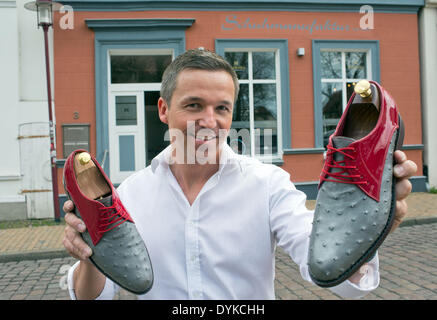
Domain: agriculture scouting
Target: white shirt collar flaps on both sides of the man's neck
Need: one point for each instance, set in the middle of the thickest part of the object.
(228, 158)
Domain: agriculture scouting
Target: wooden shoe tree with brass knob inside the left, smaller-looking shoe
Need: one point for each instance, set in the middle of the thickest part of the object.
(91, 182)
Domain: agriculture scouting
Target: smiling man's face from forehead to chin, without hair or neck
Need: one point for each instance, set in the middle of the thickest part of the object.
(201, 105)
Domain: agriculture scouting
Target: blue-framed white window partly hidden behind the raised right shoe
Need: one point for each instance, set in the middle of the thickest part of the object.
(338, 66)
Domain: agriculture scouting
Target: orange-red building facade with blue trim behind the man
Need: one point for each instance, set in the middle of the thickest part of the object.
(297, 62)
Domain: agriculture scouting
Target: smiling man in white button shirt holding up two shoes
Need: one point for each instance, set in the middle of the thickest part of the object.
(211, 228)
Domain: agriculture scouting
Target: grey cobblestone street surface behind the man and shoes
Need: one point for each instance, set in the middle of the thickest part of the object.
(408, 270)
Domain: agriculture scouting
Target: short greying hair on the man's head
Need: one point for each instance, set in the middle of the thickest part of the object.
(197, 59)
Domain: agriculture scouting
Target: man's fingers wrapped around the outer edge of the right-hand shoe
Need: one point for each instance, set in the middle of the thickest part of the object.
(403, 170)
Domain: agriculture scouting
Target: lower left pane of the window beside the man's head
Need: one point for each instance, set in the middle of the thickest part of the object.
(239, 135)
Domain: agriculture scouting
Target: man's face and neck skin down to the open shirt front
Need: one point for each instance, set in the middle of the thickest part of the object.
(201, 109)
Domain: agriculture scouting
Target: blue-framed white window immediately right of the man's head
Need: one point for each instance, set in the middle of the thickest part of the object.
(261, 119)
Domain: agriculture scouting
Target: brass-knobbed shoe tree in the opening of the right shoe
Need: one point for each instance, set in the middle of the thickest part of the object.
(363, 113)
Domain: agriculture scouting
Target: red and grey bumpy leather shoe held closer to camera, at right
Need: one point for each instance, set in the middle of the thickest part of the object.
(355, 206)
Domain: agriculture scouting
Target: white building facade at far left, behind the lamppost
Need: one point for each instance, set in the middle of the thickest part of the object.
(25, 178)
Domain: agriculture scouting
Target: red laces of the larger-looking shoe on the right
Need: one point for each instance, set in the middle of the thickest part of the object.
(342, 176)
